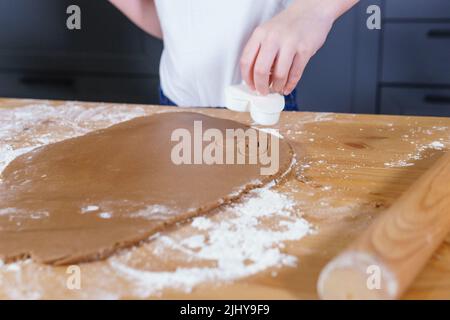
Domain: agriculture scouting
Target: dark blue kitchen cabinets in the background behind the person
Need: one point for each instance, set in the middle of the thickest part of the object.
(404, 68)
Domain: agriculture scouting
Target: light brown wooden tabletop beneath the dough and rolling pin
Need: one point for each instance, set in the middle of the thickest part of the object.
(351, 168)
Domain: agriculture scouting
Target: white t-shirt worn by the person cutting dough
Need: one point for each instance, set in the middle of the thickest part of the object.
(203, 43)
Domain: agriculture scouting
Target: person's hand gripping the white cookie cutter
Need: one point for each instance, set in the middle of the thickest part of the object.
(277, 53)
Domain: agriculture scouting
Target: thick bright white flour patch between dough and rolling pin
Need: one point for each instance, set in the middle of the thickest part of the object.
(241, 245)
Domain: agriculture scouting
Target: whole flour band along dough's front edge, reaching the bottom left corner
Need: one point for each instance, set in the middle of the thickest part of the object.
(250, 240)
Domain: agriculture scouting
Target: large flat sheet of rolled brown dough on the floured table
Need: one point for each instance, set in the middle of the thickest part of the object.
(82, 199)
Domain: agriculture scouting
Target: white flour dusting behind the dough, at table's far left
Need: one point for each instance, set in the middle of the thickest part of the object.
(74, 118)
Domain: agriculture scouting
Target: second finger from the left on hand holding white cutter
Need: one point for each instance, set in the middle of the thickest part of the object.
(263, 67)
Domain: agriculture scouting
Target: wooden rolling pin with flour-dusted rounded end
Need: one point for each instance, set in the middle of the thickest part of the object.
(384, 261)
